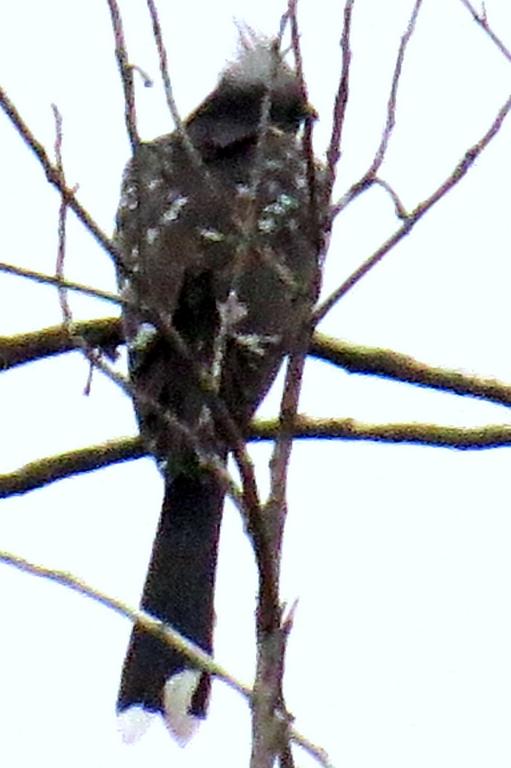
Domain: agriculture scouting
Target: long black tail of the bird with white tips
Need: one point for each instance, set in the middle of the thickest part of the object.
(179, 589)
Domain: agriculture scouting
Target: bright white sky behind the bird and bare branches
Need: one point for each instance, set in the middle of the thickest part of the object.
(398, 555)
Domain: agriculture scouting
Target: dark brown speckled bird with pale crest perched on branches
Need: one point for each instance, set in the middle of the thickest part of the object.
(218, 271)
